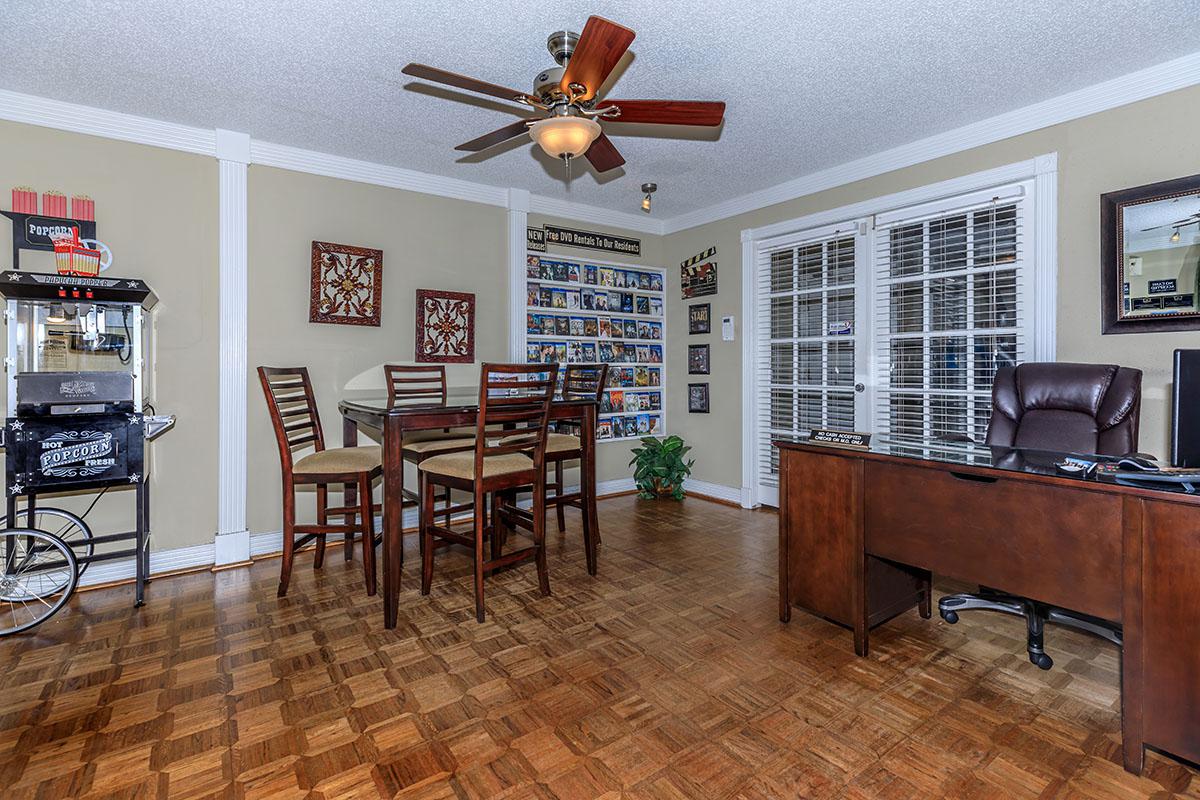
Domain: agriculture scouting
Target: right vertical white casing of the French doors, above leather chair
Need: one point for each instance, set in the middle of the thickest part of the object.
(1046, 254)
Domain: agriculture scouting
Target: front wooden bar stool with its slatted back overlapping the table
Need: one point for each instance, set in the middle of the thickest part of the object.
(517, 398)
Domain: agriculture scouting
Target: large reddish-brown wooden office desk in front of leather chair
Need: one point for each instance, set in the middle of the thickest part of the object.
(860, 533)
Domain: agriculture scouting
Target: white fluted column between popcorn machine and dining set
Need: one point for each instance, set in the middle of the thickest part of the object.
(232, 543)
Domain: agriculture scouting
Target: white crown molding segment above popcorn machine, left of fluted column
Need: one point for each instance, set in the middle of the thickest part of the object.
(75, 118)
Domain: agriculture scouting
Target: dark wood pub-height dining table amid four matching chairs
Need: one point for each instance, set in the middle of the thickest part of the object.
(392, 418)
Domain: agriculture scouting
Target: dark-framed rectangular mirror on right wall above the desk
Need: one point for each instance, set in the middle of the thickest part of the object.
(1150, 254)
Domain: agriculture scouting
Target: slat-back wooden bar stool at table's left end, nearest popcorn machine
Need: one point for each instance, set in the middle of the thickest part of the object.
(297, 424)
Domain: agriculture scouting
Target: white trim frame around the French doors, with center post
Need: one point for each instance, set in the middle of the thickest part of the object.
(1042, 172)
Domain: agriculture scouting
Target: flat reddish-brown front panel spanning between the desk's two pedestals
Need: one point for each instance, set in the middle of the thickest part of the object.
(1059, 545)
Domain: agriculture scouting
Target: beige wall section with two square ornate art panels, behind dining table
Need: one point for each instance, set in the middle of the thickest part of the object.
(428, 243)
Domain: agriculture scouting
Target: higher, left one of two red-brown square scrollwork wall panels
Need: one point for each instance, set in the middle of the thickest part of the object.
(347, 285)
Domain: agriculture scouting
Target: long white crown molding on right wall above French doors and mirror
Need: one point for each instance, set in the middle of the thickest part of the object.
(1151, 82)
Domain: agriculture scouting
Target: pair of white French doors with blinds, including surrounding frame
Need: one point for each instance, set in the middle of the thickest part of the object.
(892, 316)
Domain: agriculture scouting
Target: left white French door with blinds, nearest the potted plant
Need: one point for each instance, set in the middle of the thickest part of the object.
(806, 341)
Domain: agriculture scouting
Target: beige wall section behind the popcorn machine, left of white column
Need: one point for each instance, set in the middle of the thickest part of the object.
(158, 210)
